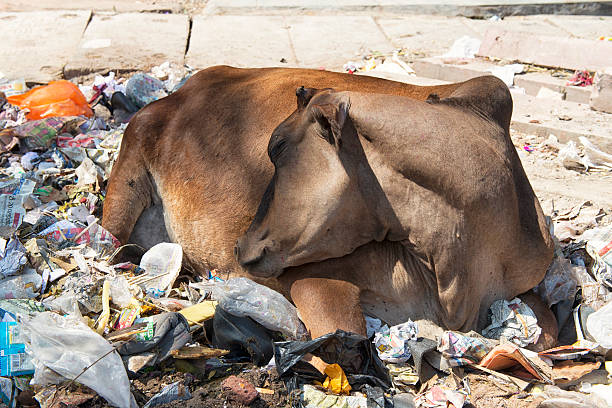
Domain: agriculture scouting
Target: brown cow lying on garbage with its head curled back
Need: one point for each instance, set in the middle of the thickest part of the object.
(379, 200)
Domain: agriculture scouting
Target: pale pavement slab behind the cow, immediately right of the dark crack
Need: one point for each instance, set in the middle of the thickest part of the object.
(241, 41)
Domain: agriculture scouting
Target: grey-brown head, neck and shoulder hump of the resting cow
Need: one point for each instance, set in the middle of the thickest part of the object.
(437, 185)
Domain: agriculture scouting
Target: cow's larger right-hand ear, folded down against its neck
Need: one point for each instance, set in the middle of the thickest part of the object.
(331, 117)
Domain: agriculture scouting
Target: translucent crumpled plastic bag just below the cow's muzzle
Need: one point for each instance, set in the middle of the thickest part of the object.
(243, 297)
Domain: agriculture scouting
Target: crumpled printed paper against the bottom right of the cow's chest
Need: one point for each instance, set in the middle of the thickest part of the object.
(513, 320)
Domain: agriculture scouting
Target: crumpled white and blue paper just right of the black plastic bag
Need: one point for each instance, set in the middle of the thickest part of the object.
(390, 343)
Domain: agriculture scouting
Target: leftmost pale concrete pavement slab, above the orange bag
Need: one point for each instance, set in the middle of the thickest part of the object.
(26, 51)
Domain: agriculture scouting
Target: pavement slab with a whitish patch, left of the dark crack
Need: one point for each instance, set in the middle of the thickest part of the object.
(130, 41)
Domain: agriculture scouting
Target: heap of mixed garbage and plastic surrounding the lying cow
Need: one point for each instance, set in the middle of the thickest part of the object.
(77, 325)
